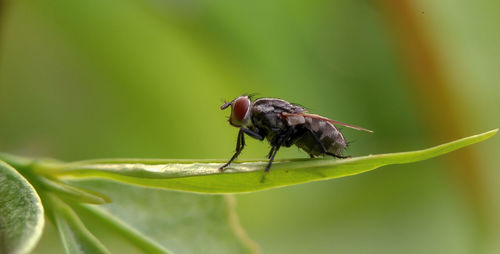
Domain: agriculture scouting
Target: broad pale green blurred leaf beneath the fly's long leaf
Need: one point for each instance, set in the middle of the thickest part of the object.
(161, 221)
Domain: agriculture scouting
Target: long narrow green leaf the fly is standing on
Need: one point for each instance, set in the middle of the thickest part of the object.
(204, 176)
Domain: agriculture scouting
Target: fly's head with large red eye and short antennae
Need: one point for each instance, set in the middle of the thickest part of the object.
(240, 111)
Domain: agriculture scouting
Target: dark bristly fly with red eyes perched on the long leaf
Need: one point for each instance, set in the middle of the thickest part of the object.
(284, 124)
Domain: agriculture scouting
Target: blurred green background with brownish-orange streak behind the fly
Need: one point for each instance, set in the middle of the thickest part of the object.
(145, 78)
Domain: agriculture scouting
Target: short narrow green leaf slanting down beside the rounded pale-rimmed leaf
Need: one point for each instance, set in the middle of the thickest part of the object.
(75, 237)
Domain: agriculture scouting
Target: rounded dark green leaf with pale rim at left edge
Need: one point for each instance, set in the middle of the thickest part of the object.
(21, 212)
